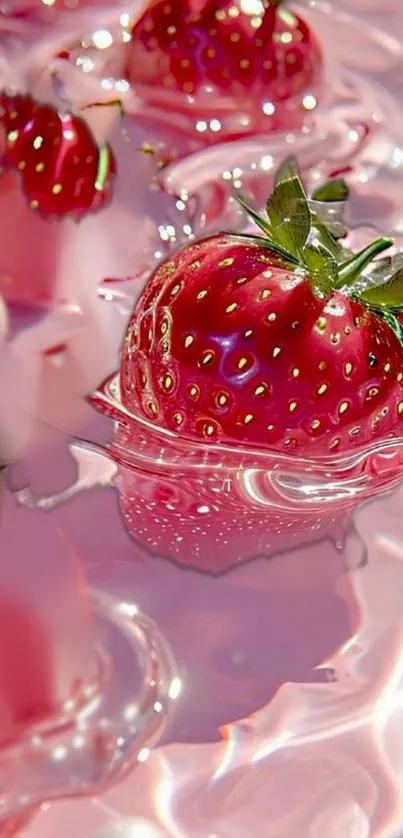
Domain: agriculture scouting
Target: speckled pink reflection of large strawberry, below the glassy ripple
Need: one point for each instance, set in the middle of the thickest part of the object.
(213, 519)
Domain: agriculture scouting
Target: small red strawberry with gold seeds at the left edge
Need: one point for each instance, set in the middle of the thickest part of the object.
(63, 170)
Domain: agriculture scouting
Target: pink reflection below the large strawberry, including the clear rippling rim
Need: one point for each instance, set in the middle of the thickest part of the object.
(211, 508)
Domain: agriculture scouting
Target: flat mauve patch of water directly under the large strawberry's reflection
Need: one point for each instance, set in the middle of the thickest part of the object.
(236, 636)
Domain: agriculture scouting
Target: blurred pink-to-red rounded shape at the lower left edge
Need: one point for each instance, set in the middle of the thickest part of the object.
(44, 663)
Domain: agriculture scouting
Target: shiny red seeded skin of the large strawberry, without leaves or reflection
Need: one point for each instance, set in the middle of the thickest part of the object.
(227, 344)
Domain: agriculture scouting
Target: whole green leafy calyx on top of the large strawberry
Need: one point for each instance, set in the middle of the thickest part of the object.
(307, 233)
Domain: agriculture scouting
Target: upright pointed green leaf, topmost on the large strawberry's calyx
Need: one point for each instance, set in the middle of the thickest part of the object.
(288, 210)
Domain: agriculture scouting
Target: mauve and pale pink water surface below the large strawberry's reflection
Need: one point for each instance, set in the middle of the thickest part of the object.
(323, 644)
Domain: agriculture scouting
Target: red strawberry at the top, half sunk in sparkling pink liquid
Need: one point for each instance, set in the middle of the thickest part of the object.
(266, 59)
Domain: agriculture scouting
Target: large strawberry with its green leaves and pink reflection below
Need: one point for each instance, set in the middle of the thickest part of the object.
(273, 347)
